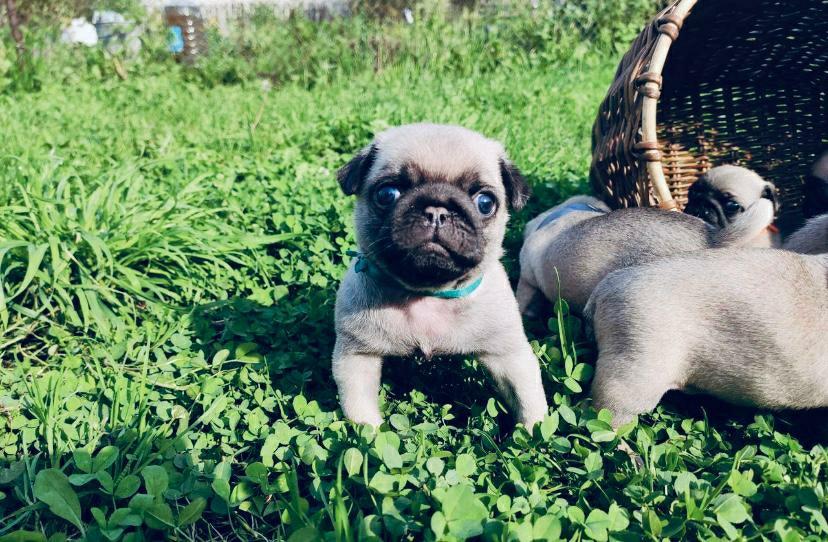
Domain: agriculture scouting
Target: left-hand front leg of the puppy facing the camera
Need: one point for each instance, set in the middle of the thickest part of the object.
(357, 377)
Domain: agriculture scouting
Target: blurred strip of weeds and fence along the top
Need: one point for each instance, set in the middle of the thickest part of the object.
(299, 41)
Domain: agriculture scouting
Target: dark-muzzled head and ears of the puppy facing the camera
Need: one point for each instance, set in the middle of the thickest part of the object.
(432, 202)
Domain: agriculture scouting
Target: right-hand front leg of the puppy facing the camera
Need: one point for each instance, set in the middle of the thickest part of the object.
(517, 375)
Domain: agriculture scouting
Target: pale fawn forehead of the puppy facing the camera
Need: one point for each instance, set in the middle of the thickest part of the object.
(446, 153)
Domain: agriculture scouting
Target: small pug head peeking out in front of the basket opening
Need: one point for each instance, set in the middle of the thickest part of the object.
(724, 192)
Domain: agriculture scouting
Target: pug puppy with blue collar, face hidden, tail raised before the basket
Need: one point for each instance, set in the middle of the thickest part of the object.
(570, 248)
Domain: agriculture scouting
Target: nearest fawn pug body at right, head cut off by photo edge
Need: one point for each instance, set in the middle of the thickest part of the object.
(749, 326)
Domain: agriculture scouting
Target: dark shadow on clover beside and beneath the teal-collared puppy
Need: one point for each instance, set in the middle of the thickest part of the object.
(295, 337)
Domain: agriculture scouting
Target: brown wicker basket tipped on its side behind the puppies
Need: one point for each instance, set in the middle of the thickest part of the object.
(733, 81)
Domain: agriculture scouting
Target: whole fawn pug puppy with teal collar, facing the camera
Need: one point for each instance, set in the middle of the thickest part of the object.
(431, 212)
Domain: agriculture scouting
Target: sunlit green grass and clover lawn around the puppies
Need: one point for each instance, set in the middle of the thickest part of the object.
(169, 257)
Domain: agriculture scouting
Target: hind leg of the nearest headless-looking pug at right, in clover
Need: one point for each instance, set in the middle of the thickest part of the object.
(627, 387)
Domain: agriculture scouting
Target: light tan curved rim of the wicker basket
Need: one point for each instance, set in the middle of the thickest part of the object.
(649, 85)
